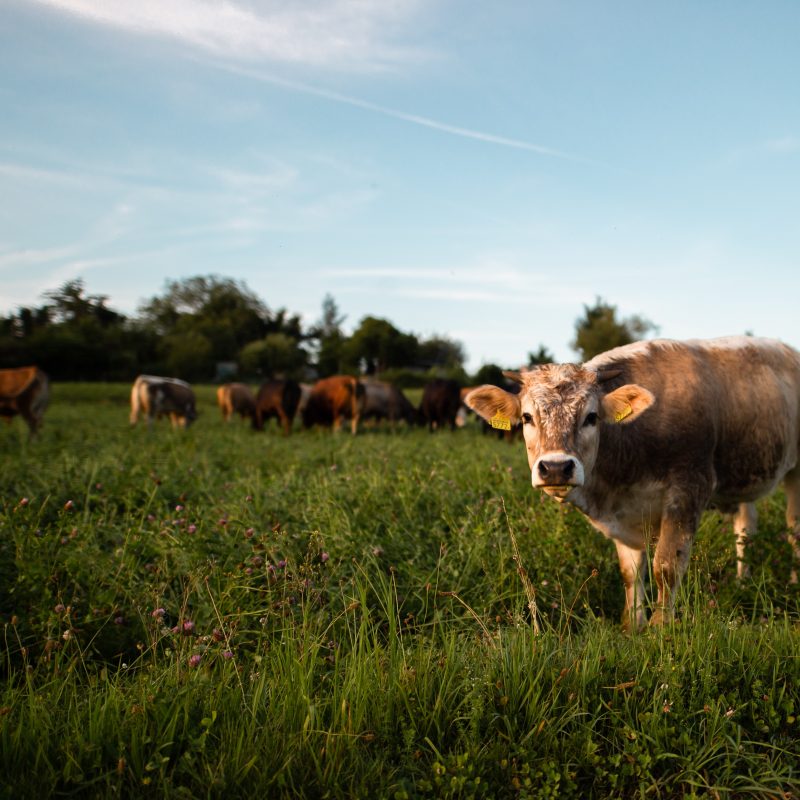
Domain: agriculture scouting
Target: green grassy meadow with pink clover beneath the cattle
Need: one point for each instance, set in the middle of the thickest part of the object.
(216, 612)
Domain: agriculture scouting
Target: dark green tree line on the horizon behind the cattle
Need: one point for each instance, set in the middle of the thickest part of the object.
(208, 328)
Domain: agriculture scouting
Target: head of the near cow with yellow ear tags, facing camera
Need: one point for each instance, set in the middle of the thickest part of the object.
(561, 408)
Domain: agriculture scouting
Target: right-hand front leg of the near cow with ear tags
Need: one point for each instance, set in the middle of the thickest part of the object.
(671, 559)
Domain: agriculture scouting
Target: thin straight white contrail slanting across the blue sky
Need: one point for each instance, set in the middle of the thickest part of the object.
(391, 112)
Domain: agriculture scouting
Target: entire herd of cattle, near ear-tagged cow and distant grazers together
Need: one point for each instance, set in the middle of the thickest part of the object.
(641, 439)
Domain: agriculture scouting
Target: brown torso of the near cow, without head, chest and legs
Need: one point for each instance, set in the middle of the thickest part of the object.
(728, 406)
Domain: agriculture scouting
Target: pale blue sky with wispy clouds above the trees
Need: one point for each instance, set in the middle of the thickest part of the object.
(477, 170)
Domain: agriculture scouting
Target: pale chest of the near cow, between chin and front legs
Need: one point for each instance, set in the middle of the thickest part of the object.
(631, 516)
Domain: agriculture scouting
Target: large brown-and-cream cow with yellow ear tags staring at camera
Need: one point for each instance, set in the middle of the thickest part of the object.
(644, 437)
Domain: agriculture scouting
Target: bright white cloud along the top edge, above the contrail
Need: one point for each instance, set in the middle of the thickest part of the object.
(342, 34)
